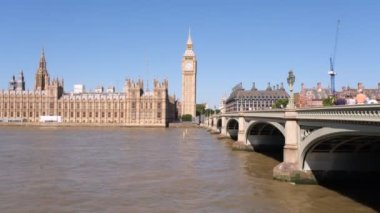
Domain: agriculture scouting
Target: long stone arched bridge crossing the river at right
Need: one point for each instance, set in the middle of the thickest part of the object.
(316, 142)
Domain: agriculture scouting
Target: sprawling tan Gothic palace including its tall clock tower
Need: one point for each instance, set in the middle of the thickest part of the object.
(132, 107)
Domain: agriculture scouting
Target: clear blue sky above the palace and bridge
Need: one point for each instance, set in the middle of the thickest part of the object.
(103, 42)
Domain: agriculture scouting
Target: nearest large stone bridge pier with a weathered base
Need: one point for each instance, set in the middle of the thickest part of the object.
(290, 169)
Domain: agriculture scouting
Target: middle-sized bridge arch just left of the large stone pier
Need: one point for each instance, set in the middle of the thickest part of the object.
(265, 135)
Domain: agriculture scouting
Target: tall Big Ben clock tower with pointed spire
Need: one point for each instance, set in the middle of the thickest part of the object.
(189, 80)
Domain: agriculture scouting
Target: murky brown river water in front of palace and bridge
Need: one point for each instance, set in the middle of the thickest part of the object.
(152, 170)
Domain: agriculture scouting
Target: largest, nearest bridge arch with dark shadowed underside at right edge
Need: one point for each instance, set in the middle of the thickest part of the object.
(334, 152)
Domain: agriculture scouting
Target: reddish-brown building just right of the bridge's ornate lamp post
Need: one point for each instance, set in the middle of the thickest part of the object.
(312, 97)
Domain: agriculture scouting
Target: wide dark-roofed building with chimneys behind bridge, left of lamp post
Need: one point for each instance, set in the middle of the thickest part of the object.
(254, 99)
